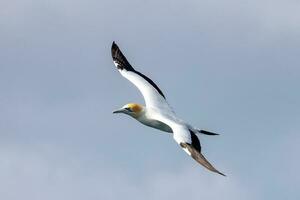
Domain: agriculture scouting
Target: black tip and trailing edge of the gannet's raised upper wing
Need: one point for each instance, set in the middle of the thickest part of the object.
(122, 63)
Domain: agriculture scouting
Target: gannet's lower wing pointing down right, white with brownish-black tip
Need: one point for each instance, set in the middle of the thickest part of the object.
(188, 141)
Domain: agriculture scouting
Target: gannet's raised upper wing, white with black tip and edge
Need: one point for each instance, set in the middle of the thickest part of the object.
(152, 94)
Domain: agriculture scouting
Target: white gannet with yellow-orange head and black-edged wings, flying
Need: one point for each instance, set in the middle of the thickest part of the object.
(157, 113)
